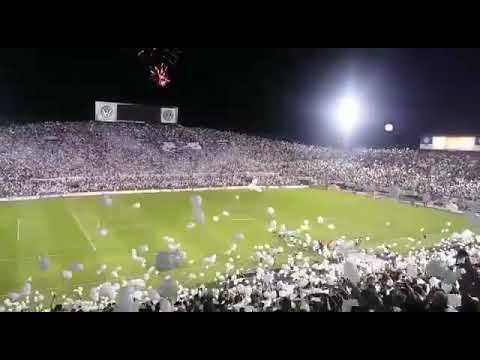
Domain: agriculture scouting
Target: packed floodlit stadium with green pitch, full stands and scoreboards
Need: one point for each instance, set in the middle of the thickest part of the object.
(134, 212)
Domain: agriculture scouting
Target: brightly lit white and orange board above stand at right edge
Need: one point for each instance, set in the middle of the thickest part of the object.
(450, 143)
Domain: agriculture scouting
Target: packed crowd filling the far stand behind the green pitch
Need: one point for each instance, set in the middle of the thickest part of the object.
(46, 158)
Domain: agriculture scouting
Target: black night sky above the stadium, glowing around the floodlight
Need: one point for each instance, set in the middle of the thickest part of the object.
(276, 92)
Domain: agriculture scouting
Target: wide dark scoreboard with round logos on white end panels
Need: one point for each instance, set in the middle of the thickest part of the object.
(134, 113)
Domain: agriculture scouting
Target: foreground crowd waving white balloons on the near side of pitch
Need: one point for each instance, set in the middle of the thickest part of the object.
(340, 278)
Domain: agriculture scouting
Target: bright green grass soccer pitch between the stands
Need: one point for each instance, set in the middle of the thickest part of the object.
(66, 230)
